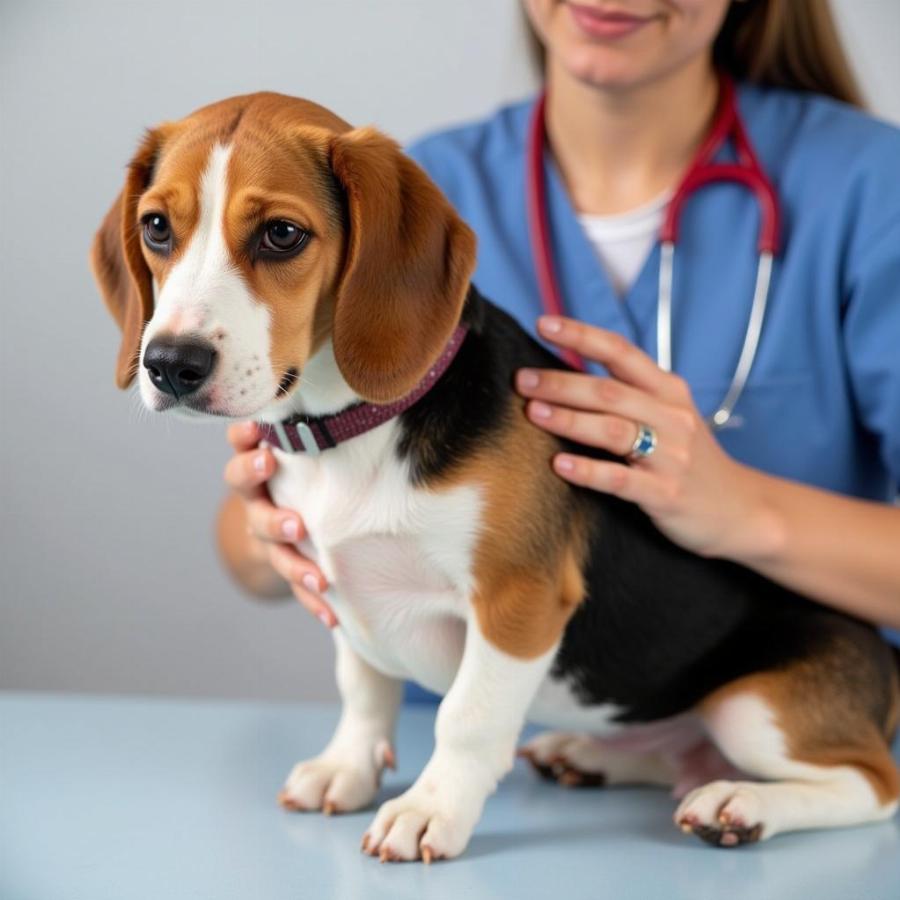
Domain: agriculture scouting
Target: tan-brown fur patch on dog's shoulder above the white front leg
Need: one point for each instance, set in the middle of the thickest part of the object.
(531, 549)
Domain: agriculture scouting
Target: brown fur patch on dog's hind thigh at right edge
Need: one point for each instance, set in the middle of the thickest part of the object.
(828, 709)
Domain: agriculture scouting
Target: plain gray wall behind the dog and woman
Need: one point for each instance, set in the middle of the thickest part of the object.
(108, 574)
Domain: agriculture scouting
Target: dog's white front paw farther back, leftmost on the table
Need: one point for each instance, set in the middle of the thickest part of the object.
(336, 781)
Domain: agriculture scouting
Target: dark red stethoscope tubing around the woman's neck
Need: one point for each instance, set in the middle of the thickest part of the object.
(747, 171)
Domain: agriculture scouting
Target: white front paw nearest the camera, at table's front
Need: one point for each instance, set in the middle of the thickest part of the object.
(421, 824)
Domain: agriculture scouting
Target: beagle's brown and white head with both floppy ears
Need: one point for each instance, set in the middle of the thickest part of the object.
(262, 232)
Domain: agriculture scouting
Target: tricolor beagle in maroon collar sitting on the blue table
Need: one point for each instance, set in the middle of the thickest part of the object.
(265, 260)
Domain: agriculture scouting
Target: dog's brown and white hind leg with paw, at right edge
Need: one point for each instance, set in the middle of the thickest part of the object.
(816, 742)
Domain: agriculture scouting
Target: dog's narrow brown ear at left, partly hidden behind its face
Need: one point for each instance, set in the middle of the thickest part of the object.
(118, 264)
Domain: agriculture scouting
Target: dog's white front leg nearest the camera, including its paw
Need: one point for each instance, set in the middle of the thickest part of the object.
(477, 726)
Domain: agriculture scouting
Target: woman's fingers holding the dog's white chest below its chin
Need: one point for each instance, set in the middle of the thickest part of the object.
(273, 533)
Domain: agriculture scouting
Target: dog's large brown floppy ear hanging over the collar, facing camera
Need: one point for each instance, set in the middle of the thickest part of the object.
(406, 272)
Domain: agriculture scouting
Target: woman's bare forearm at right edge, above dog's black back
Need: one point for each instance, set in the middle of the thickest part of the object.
(840, 551)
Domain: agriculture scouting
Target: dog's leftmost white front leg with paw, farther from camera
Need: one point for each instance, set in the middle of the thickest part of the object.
(345, 776)
